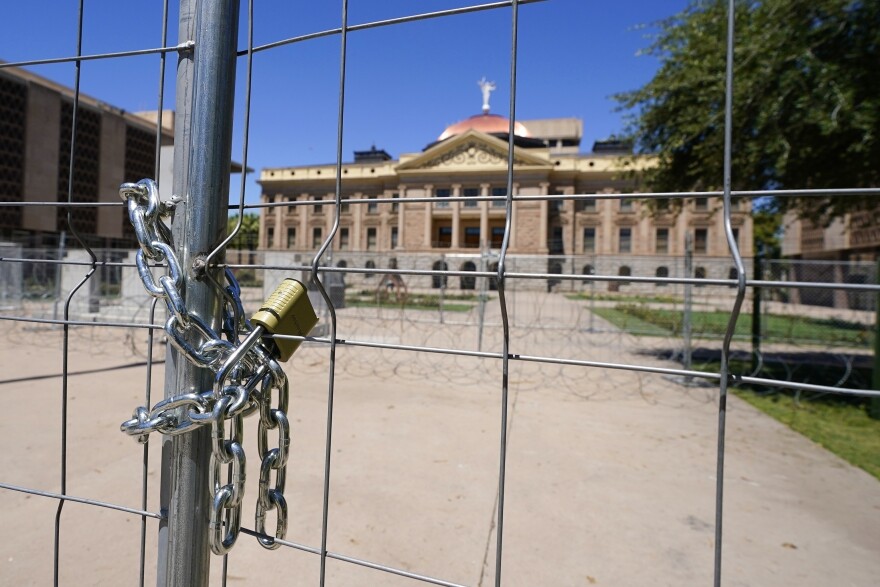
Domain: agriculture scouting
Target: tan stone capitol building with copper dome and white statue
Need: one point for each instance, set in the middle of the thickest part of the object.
(382, 226)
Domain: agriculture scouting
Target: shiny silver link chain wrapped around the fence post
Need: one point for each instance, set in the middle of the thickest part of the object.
(245, 377)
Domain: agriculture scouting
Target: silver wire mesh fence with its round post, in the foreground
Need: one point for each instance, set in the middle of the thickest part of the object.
(204, 87)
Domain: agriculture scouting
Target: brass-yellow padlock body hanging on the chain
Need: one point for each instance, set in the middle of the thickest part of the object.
(287, 311)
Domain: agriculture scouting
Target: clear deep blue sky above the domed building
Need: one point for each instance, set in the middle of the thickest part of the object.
(405, 83)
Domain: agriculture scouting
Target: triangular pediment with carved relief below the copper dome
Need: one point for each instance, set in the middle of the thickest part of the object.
(471, 151)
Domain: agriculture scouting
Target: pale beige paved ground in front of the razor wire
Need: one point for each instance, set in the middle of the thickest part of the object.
(611, 474)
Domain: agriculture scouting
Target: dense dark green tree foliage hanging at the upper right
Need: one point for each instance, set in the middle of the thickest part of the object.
(806, 100)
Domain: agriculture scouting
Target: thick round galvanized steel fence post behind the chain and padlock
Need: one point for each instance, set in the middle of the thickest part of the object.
(202, 154)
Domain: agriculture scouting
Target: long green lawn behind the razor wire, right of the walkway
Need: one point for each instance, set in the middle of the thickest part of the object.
(776, 328)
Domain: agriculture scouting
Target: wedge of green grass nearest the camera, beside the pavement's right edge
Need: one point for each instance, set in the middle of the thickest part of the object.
(844, 429)
